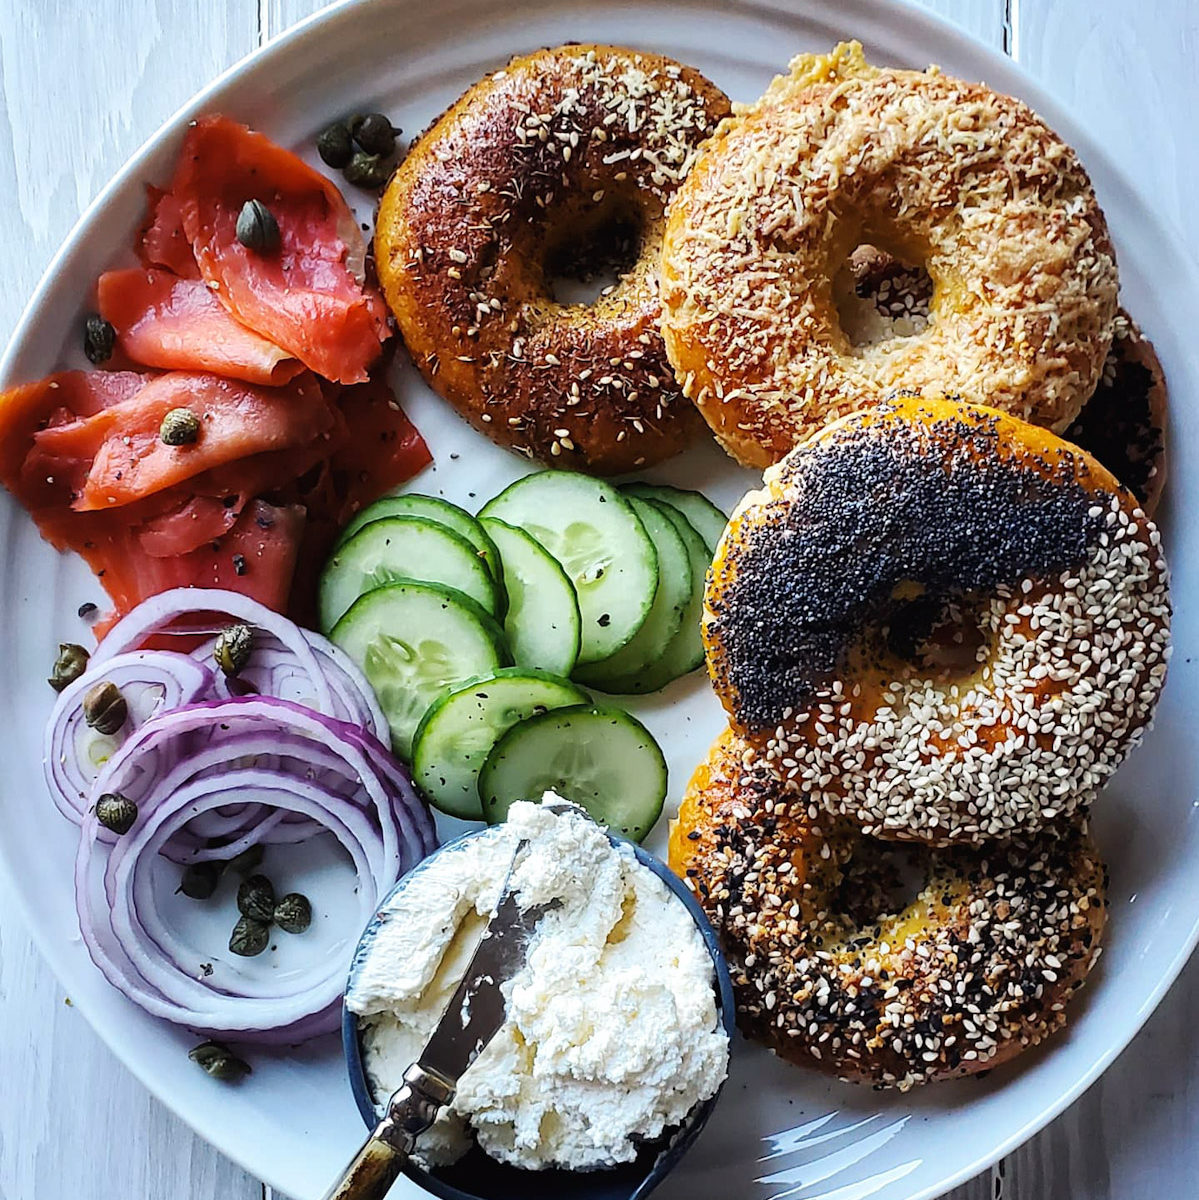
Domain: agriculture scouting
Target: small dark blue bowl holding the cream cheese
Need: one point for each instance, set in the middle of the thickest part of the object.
(478, 1178)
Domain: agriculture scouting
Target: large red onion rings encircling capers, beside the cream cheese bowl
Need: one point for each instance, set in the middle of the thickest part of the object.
(287, 769)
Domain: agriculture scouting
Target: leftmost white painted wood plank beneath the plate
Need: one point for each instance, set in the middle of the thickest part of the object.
(82, 86)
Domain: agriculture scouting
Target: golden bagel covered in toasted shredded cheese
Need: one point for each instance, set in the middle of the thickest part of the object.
(949, 175)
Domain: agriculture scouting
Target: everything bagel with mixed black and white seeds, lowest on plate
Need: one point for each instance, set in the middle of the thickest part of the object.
(834, 968)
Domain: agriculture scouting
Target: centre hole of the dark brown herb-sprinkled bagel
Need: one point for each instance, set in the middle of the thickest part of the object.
(589, 251)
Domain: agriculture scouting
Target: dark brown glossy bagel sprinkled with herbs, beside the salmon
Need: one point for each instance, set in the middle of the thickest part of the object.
(561, 149)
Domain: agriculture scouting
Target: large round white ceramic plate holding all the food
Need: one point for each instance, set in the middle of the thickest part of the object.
(780, 1132)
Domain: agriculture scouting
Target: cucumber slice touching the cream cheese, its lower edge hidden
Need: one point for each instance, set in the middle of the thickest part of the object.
(604, 760)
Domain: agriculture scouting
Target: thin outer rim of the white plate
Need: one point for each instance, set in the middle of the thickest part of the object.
(884, 14)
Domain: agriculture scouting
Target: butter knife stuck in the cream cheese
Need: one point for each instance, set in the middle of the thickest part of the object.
(471, 1021)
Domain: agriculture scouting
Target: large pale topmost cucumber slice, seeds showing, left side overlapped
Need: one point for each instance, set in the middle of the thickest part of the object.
(592, 531)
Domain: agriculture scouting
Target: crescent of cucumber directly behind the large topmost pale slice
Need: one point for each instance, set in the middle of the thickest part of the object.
(675, 591)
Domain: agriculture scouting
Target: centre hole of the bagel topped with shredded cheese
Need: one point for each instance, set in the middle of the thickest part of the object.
(882, 296)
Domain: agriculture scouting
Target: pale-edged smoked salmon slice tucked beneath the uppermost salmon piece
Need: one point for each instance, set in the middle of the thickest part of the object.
(164, 321)
